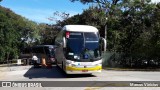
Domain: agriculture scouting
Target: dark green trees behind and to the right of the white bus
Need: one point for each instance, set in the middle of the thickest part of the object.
(133, 27)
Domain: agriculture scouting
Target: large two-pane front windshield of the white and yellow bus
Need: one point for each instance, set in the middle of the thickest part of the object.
(83, 46)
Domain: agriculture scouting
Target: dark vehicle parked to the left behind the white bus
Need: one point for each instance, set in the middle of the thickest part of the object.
(39, 51)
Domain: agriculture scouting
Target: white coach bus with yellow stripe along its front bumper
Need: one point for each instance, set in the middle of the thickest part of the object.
(79, 49)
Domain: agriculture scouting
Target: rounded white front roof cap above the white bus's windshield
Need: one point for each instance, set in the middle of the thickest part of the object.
(80, 28)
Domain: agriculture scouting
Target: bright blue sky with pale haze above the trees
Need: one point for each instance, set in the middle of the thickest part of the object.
(40, 10)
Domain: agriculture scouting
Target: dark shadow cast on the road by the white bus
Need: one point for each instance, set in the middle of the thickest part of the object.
(54, 72)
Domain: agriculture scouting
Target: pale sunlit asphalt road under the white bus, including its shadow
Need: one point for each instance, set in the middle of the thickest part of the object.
(28, 73)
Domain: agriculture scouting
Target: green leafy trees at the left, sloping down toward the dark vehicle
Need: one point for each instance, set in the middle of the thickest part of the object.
(16, 33)
